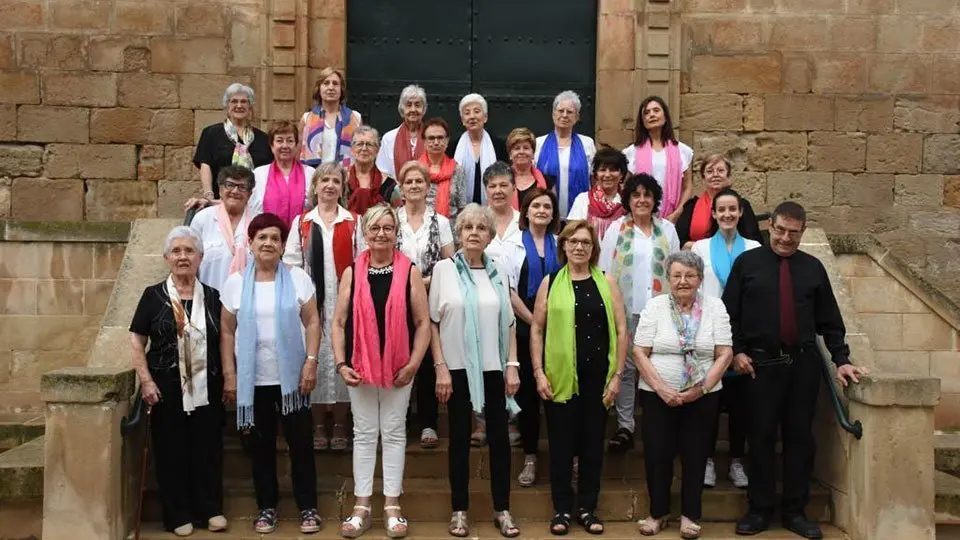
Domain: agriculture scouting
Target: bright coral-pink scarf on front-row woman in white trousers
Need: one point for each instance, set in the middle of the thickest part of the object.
(367, 361)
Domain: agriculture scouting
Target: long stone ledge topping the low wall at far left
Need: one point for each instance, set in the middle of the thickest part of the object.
(65, 231)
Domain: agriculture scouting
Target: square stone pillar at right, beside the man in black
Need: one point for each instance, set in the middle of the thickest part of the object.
(891, 469)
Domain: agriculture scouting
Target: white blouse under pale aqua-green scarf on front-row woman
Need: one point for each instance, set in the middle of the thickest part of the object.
(447, 310)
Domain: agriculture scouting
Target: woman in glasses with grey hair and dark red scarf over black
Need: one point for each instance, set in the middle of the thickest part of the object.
(366, 185)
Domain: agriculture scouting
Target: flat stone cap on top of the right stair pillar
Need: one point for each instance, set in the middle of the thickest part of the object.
(895, 390)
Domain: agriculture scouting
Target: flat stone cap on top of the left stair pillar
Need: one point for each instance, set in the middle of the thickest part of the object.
(87, 385)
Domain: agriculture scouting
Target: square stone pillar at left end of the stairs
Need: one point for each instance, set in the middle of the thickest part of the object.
(83, 475)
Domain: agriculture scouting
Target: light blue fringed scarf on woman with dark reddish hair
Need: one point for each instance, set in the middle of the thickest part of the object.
(291, 353)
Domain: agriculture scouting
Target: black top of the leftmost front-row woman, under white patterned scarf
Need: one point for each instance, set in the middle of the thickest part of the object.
(154, 319)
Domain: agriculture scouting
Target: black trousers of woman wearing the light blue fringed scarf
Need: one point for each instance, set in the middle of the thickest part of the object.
(262, 443)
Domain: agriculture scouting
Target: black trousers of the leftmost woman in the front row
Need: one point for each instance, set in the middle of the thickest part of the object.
(188, 453)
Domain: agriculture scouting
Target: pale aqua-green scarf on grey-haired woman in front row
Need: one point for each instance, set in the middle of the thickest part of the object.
(473, 363)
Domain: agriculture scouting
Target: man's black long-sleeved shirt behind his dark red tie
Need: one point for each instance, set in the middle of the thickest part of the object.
(752, 297)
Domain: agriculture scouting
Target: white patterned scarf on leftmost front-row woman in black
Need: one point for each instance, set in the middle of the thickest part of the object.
(191, 346)
